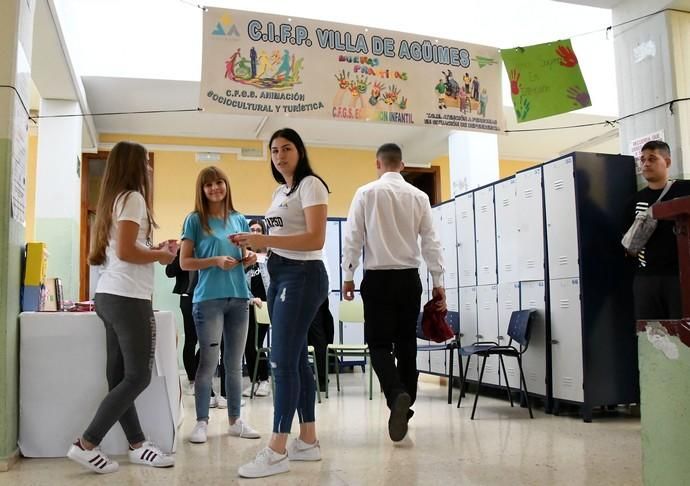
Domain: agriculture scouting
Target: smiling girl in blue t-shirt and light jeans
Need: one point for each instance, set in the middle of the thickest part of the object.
(221, 297)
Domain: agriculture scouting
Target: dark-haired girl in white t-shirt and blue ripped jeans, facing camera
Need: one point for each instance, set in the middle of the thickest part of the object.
(297, 222)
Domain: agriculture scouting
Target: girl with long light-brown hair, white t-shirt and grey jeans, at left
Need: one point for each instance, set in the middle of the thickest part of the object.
(122, 246)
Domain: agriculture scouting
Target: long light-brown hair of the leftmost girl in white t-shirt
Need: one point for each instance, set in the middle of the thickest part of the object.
(126, 171)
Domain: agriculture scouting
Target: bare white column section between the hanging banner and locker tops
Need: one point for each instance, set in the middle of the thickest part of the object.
(473, 160)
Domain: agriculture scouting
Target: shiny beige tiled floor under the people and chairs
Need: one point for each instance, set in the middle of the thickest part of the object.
(501, 447)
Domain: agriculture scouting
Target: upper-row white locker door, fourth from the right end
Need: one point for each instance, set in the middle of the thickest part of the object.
(485, 224)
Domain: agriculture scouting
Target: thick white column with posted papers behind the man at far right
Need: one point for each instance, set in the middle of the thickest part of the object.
(652, 68)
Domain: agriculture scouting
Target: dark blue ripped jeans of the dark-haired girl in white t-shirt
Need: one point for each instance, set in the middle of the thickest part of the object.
(298, 287)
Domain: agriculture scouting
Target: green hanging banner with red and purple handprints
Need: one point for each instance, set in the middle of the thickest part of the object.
(545, 80)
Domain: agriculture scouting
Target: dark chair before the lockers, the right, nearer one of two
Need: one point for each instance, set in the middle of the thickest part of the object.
(519, 331)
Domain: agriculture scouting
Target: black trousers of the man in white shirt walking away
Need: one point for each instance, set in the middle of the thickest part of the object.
(392, 300)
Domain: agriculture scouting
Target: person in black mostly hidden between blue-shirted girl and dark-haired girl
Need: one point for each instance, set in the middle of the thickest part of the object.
(257, 276)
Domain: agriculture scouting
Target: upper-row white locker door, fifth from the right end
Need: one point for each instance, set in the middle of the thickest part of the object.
(464, 219)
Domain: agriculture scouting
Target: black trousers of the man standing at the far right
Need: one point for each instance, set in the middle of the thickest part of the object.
(657, 297)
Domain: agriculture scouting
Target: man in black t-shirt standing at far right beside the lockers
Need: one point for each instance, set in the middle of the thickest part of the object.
(656, 287)
